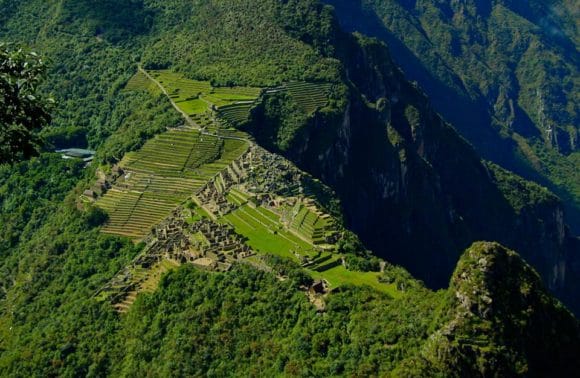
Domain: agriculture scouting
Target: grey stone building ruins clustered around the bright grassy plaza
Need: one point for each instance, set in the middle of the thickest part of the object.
(264, 179)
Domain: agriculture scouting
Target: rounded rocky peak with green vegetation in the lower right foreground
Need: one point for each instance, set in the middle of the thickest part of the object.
(500, 322)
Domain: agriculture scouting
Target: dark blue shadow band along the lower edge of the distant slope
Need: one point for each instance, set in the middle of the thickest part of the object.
(470, 116)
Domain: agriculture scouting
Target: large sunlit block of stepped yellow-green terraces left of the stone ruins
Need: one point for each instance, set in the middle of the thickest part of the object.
(163, 174)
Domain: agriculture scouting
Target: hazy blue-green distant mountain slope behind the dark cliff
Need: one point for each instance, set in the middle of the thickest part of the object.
(504, 73)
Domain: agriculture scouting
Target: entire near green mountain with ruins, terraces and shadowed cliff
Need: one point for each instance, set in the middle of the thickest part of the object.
(309, 171)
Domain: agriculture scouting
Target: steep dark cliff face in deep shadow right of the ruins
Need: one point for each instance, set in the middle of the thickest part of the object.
(415, 191)
